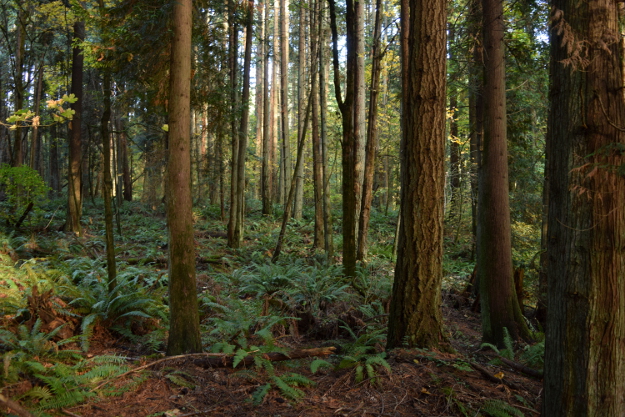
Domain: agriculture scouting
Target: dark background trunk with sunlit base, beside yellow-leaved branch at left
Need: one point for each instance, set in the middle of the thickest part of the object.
(74, 192)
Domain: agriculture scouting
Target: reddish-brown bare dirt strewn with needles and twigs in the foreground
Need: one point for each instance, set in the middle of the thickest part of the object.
(421, 383)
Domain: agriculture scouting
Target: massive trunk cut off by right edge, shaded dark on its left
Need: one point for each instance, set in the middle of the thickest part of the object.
(584, 356)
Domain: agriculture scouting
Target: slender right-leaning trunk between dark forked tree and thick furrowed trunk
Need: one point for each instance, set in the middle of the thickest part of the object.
(372, 138)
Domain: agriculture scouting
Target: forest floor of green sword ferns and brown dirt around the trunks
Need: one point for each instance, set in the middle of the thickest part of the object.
(239, 310)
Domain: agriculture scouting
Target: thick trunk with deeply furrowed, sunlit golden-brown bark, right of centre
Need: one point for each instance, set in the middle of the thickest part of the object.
(415, 315)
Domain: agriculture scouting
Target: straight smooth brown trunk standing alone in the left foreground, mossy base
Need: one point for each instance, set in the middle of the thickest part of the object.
(184, 330)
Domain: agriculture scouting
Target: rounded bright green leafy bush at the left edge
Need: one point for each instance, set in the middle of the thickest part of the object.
(22, 185)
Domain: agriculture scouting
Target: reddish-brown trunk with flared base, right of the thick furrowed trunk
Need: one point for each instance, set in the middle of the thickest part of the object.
(500, 307)
